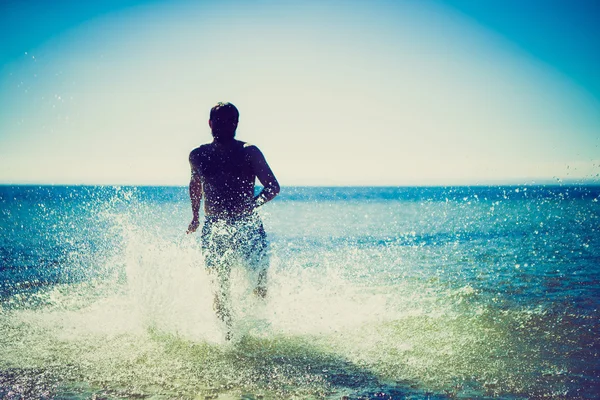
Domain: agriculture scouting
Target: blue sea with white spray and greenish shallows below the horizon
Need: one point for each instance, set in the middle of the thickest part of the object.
(373, 293)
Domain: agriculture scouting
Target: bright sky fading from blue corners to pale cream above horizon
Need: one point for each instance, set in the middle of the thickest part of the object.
(429, 92)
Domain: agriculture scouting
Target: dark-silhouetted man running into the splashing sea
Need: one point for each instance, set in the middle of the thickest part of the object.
(223, 173)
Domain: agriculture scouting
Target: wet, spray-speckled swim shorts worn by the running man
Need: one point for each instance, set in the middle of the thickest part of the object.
(226, 241)
